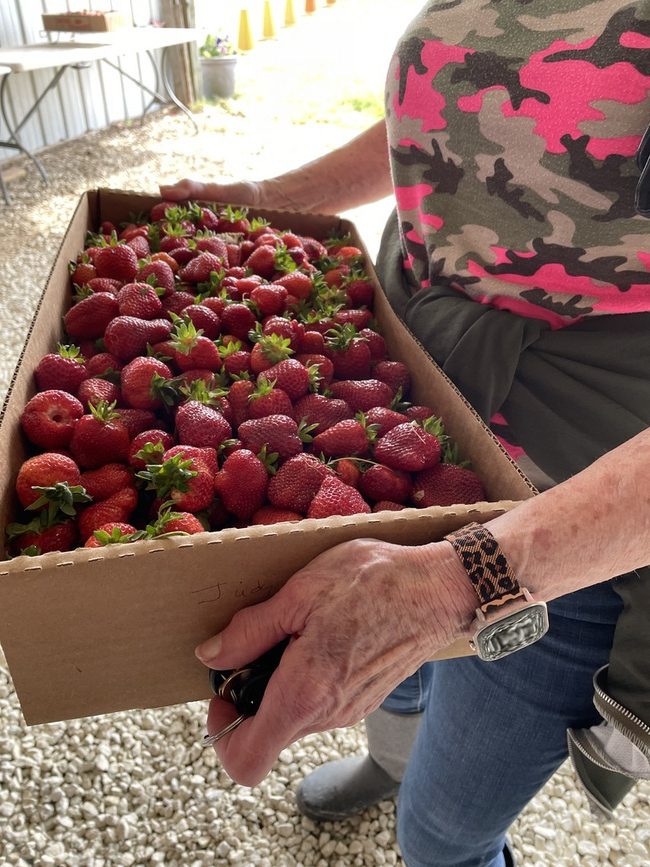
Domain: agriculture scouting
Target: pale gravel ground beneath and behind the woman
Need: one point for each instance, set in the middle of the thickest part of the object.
(137, 788)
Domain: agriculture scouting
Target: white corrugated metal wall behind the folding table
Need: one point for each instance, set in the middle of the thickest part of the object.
(84, 99)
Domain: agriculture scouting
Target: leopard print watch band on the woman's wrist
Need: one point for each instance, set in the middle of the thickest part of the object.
(485, 563)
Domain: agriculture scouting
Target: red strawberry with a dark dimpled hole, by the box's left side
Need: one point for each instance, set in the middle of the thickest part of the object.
(49, 418)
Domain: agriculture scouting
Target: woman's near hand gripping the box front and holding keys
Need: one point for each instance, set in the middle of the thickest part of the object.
(362, 616)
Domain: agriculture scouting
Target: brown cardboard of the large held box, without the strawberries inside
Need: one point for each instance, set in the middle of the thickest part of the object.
(91, 631)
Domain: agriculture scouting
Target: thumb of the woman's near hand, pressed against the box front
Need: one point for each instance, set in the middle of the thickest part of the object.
(250, 633)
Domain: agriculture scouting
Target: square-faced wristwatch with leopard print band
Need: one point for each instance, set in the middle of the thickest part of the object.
(508, 618)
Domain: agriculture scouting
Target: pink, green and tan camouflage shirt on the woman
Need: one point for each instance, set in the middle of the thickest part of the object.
(513, 126)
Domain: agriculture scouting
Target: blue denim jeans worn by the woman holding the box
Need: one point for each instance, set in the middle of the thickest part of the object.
(493, 733)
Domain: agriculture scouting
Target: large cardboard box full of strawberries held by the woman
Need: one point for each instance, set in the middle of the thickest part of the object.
(207, 399)
